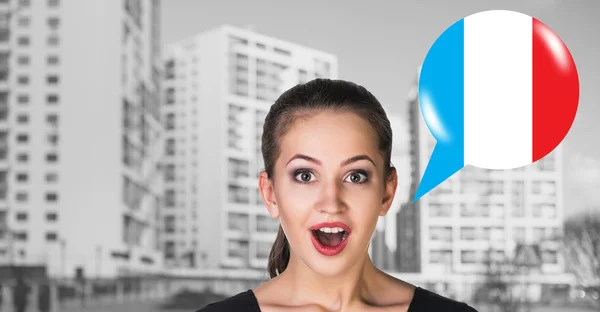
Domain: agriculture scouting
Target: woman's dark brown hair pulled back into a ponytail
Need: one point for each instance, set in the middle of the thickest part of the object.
(304, 100)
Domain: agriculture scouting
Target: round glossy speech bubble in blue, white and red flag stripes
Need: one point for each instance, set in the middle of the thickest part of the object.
(498, 90)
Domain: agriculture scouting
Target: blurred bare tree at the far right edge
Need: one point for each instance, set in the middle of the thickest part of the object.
(581, 245)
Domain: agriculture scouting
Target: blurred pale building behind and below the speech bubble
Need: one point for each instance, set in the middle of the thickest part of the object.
(478, 214)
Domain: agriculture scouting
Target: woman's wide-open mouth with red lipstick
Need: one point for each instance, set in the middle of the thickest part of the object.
(330, 238)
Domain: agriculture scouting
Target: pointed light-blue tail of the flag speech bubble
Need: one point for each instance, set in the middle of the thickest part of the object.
(444, 162)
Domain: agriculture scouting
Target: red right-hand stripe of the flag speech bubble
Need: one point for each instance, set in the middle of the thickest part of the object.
(555, 90)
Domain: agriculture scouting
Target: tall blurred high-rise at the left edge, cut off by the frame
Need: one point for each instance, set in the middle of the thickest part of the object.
(80, 135)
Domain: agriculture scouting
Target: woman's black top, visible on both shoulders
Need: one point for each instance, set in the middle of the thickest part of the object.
(423, 301)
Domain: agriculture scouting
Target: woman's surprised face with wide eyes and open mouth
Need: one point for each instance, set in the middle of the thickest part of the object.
(329, 170)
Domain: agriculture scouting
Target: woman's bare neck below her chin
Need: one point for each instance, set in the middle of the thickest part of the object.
(335, 293)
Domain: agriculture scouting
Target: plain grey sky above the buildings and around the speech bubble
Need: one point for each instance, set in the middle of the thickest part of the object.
(380, 45)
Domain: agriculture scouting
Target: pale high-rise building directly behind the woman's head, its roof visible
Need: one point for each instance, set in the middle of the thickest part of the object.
(219, 86)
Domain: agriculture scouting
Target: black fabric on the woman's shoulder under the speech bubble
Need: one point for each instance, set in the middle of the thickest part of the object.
(425, 300)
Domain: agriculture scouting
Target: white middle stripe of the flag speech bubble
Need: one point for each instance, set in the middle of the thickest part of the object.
(498, 89)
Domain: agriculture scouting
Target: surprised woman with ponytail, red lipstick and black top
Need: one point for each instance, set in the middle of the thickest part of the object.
(327, 147)
